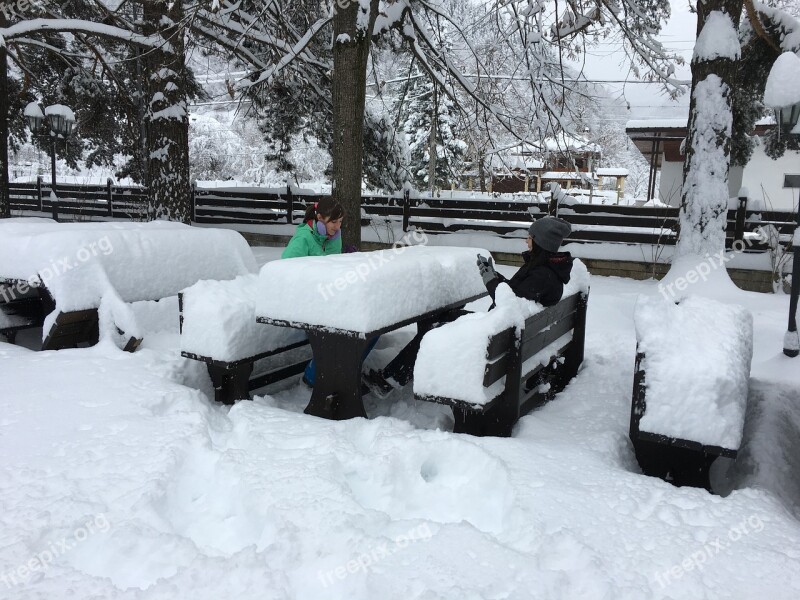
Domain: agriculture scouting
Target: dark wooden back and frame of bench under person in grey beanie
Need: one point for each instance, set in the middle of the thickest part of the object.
(526, 386)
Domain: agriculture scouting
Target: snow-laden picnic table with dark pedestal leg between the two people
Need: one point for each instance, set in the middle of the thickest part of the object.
(344, 301)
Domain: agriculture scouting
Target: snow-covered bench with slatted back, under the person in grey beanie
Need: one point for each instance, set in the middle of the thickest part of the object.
(492, 368)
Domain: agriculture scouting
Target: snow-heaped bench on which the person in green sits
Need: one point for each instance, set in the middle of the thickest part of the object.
(218, 327)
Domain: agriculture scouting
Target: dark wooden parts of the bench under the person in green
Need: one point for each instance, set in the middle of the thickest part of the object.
(233, 379)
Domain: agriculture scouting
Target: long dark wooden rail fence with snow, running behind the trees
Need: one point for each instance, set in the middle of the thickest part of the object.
(508, 218)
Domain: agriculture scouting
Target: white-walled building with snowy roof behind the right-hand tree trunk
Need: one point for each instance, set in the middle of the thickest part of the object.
(661, 142)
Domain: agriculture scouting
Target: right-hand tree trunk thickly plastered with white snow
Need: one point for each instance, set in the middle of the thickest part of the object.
(704, 196)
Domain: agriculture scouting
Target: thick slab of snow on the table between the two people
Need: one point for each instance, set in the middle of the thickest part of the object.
(366, 291)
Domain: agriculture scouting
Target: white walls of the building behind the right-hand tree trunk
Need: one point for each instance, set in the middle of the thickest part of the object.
(762, 176)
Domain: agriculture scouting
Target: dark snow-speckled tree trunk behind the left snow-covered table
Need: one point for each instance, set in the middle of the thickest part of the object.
(166, 118)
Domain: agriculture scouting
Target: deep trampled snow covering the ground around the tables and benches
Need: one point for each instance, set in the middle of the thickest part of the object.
(121, 479)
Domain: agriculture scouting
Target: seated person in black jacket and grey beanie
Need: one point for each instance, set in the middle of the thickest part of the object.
(545, 271)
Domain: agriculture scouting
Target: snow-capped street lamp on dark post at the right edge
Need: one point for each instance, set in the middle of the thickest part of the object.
(782, 93)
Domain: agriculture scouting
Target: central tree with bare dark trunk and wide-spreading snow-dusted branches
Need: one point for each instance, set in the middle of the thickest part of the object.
(539, 30)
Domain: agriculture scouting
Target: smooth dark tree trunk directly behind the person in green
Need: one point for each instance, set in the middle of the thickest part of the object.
(352, 35)
